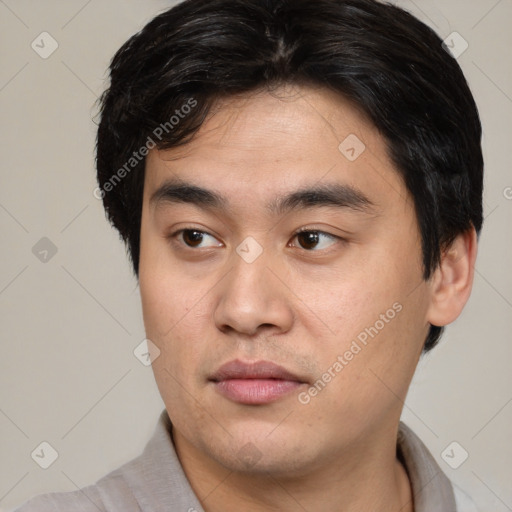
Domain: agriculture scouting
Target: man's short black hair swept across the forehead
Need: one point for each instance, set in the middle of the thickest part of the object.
(165, 79)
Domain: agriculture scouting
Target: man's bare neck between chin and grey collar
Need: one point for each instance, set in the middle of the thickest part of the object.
(368, 476)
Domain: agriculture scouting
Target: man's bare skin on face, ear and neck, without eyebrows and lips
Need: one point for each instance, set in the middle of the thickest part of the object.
(297, 305)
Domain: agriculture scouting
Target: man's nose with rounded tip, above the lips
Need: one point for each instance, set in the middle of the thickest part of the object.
(254, 298)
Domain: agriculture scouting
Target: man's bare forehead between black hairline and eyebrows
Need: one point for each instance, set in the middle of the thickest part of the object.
(257, 146)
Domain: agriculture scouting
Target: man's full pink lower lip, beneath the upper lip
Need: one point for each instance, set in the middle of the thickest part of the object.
(255, 391)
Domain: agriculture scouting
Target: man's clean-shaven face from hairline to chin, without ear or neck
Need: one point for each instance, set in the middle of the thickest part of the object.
(281, 282)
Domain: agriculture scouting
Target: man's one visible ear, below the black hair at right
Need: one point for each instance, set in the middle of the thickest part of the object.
(451, 283)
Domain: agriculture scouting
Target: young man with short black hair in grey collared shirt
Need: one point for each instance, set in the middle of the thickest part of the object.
(300, 187)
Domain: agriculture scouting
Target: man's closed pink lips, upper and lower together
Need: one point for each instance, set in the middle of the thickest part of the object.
(255, 383)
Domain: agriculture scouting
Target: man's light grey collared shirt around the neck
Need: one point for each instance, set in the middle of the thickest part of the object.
(155, 482)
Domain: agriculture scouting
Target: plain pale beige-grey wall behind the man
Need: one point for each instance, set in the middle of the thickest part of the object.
(69, 325)
